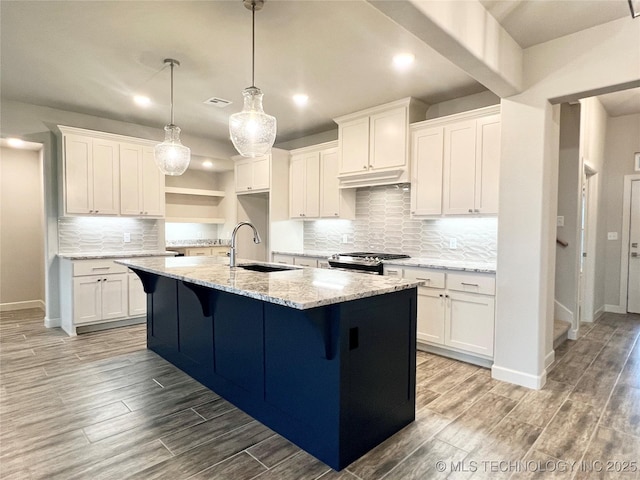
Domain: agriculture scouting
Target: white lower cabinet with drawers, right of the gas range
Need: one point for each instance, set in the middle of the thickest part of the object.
(456, 310)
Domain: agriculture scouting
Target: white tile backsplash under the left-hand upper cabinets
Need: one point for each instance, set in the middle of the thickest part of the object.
(106, 234)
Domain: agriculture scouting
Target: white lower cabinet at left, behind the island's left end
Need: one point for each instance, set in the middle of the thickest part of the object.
(97, 292)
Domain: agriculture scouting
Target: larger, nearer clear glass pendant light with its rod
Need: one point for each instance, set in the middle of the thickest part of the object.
(252, 131)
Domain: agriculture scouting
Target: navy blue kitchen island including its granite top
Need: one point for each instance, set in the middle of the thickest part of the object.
(325, 358)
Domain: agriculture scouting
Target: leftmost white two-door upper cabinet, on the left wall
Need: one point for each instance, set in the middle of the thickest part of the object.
(91, 176)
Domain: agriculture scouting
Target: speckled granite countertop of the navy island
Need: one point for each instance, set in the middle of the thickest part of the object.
(301, 288)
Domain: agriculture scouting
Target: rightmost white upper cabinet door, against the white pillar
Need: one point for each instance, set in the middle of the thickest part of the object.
(487, 164)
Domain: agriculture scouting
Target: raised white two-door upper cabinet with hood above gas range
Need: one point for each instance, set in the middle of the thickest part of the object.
(373, 144)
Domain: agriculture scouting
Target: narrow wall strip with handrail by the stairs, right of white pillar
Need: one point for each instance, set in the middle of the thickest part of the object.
(569, 180)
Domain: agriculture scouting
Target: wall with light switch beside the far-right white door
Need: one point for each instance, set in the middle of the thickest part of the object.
(622, 141)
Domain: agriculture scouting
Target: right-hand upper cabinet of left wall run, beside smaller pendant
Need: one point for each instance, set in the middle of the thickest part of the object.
(141, 182)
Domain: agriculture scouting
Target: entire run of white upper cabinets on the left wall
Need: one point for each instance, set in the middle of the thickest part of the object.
(107, 174)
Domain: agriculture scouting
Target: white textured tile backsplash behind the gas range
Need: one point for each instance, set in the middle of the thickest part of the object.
(383, 224)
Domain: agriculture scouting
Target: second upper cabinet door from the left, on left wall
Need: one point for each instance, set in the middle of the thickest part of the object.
(106, 177)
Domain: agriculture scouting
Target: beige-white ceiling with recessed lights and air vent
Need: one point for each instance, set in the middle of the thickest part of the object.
(92, 56)
